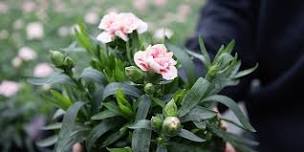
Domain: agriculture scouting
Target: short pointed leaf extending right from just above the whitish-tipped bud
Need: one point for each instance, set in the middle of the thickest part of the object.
(198, 114)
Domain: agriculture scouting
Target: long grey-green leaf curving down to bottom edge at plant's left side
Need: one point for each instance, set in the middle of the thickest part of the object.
(70, 133)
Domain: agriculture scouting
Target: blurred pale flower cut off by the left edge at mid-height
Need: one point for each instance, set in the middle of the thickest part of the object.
(9, 88)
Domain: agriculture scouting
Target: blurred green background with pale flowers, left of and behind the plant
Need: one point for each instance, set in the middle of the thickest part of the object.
(30, 28)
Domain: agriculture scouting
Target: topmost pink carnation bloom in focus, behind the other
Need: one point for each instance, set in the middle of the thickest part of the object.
(120, 25)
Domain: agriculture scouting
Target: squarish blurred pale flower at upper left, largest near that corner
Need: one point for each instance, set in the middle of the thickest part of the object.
(34, 30)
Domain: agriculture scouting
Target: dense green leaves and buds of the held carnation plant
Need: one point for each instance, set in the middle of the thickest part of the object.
(106, 111)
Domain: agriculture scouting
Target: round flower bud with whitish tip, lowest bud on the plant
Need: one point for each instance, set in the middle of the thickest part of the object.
(171, 126)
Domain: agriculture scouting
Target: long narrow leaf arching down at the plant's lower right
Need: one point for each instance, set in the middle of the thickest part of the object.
(232, 105)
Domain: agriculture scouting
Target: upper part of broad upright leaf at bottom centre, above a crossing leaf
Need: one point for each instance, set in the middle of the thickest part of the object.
(143, 107)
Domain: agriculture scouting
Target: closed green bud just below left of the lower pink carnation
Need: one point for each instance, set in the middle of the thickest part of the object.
(134, 74)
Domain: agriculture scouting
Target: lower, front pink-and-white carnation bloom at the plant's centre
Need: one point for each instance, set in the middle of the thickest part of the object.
(156, 58)
